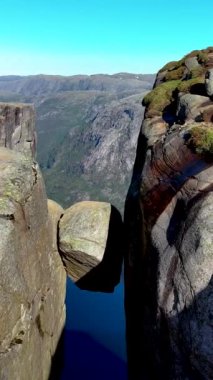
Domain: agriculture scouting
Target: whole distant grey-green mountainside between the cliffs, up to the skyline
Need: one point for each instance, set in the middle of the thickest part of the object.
(87, 130)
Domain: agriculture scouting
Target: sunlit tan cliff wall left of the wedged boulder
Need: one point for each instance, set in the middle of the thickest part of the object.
(32, 280)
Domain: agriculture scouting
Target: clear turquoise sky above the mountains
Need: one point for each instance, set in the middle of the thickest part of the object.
(100, 36)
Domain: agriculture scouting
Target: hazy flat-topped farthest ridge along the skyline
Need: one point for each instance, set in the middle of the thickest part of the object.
(38, 85)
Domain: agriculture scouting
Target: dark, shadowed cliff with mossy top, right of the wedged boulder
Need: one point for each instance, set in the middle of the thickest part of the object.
(169, 264)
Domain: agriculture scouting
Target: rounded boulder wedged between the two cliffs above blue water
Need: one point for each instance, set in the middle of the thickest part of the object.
(90, 243)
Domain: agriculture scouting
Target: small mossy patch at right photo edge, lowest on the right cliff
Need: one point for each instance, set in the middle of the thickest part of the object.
(201, 139)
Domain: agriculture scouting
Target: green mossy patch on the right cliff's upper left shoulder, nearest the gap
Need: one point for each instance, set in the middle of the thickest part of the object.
(160, 97)
